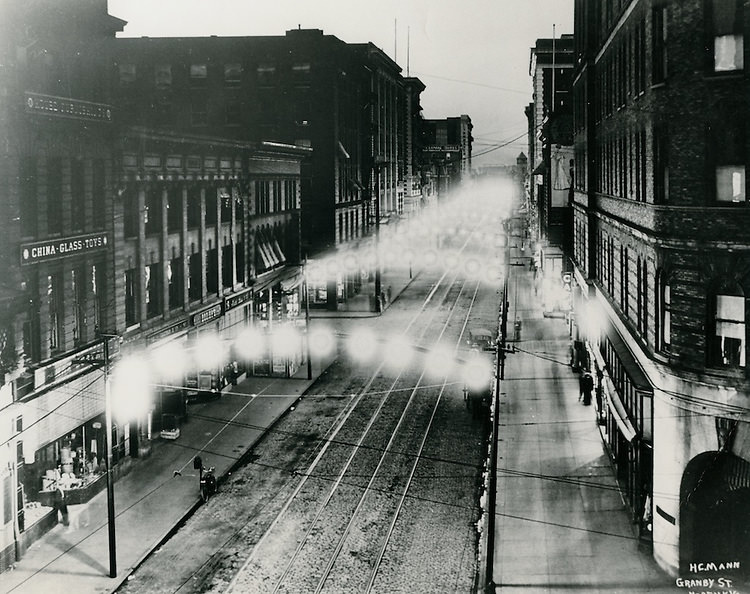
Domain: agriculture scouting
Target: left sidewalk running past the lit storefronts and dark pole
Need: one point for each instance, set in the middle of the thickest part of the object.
(152, 499)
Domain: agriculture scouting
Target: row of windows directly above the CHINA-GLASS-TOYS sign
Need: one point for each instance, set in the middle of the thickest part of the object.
(50, 186)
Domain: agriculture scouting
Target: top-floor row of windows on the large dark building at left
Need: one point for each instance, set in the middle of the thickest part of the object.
(198, 74)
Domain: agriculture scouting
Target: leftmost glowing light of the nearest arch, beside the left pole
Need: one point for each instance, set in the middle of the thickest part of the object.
(130, 388)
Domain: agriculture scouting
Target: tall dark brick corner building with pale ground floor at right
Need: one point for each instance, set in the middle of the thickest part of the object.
(662, 262)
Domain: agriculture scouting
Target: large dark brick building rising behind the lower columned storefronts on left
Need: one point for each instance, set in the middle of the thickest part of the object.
(349, 102)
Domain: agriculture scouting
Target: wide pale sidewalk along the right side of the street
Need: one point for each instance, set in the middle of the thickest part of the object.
(561, 524)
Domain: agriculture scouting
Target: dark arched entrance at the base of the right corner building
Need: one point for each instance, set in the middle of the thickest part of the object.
(715, 517)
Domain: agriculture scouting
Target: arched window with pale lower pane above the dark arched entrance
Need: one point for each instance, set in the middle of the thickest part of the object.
(727, 327)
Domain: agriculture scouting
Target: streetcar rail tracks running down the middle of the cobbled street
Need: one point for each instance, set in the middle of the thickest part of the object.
(336, 534)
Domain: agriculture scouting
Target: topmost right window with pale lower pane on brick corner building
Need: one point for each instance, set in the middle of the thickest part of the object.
(727, 33)
